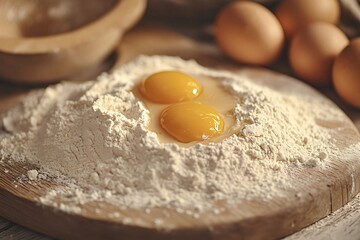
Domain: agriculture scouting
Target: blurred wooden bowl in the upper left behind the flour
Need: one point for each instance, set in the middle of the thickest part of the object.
(43, 41)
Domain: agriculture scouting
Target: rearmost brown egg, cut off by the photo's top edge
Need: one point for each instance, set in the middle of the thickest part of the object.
(296, 14)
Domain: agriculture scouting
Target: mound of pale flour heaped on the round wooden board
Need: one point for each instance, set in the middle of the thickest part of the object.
(93, 138)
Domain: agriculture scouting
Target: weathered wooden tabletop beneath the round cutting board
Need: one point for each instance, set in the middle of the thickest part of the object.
(342, 224)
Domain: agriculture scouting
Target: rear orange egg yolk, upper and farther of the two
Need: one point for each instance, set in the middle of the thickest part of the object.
(170, 87)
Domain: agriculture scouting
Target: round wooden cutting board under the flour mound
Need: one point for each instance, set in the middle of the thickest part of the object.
(318, 192)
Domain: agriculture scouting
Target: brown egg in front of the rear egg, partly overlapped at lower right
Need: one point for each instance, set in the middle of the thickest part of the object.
(313, 50)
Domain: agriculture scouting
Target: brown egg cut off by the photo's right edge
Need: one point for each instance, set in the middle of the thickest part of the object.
(346, 73)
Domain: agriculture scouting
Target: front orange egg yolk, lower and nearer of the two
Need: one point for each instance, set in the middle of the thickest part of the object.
(191, 121)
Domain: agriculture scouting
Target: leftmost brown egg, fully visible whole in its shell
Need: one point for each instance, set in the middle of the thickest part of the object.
(249, 33)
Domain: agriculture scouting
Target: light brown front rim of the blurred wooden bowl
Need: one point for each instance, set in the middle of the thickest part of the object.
(121, 17)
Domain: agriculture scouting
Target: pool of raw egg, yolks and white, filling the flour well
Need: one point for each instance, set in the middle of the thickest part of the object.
(211, 117)
